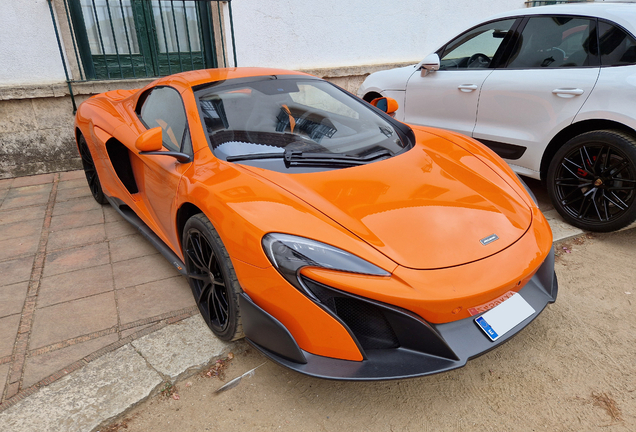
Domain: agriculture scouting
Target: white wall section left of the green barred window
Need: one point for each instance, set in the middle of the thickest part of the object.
(28, 47)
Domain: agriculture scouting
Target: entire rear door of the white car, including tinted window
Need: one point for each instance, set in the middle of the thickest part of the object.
(551, 71)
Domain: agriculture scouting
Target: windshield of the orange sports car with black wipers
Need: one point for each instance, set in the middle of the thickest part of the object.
(270, 121)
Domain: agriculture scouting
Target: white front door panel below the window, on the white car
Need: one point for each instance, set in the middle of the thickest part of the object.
(445, 99)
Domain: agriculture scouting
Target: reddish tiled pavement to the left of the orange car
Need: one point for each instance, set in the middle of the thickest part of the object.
(75, 278)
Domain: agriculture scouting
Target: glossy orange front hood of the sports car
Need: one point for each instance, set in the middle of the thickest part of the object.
(431, 207)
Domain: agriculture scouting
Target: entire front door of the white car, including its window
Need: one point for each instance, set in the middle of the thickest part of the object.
(448, 98)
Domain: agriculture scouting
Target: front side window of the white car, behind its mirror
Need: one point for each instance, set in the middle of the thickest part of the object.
(476, 48)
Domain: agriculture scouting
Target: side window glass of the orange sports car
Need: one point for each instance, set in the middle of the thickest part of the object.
(163, 107)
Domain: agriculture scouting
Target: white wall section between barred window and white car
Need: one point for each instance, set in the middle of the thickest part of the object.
(303, 34)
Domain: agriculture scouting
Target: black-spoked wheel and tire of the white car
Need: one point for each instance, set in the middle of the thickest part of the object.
(592, 180)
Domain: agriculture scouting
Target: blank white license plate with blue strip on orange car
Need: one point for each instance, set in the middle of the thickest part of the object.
(504, 317)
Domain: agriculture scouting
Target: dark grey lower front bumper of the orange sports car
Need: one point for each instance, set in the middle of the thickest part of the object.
(423, 348)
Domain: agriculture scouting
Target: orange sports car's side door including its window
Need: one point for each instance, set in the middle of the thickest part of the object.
(159, 181)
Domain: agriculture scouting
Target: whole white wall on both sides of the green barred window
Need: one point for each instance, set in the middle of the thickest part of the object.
(293, 34)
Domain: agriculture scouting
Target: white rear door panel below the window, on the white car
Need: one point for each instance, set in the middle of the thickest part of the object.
(529, 107)
